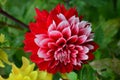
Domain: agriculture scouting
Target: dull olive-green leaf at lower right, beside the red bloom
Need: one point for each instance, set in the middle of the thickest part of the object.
(107, 63)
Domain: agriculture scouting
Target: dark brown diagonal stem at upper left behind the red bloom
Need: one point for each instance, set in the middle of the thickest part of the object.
(13, 18)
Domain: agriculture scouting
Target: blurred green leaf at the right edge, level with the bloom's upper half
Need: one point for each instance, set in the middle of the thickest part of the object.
(110, 28)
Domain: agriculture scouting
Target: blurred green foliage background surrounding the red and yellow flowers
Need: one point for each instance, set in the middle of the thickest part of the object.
(103, 14)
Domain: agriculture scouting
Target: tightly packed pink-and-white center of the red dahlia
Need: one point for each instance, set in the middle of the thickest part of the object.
(63, 55)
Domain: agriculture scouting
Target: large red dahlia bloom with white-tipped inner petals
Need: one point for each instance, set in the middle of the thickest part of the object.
(59, 41)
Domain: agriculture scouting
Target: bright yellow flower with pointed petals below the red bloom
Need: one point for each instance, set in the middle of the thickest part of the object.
(27, 72)
